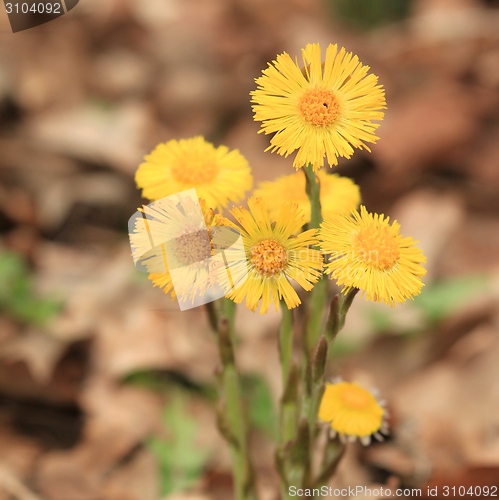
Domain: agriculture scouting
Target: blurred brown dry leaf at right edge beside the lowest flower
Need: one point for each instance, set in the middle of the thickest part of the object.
(452, 407)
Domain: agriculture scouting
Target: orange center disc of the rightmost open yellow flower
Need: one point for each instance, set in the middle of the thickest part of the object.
(377, 247)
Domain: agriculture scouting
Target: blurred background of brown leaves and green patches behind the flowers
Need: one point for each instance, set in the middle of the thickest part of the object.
(107, 392)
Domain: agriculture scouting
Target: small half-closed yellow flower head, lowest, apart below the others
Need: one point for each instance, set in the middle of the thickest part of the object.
(352, 412)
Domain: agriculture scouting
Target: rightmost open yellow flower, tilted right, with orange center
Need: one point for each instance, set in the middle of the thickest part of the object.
(368, 253)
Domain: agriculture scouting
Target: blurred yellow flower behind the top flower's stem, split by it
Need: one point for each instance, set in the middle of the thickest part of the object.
(339, 195)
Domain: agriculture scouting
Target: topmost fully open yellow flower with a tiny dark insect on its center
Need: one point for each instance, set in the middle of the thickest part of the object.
(322, 109)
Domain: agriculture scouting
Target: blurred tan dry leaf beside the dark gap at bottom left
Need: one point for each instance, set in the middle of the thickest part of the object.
(119, 419)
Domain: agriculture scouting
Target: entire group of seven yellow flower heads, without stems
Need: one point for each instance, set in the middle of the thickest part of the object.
(321, 110)
